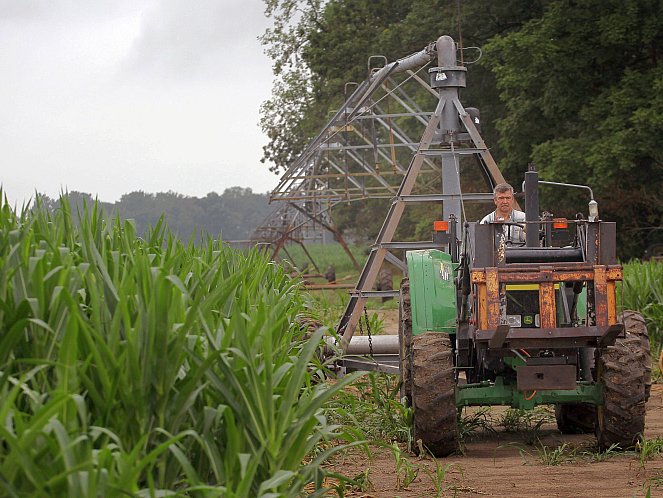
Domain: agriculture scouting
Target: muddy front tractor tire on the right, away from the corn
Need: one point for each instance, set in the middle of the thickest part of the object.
(622, 370)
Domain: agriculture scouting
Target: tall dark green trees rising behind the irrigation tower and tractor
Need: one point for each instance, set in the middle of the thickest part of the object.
(574, 86)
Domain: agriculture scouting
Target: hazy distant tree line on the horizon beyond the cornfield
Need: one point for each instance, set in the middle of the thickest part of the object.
(232, 215)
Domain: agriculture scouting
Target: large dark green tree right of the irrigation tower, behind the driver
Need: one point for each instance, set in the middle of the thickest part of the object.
(582, 88)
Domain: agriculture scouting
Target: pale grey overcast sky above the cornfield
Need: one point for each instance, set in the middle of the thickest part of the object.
(113, 96)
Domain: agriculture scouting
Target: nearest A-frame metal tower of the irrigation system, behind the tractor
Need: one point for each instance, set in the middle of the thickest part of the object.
(450, 134)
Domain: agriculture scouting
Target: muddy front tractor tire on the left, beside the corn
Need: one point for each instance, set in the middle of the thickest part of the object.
(434, 394)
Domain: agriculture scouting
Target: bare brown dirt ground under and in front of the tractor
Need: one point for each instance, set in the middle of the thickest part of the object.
(503, 464)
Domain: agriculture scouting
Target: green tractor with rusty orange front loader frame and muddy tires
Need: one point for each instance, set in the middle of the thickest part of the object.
(490, 321)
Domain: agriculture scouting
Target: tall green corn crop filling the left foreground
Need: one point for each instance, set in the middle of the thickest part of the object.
(137, 366)
